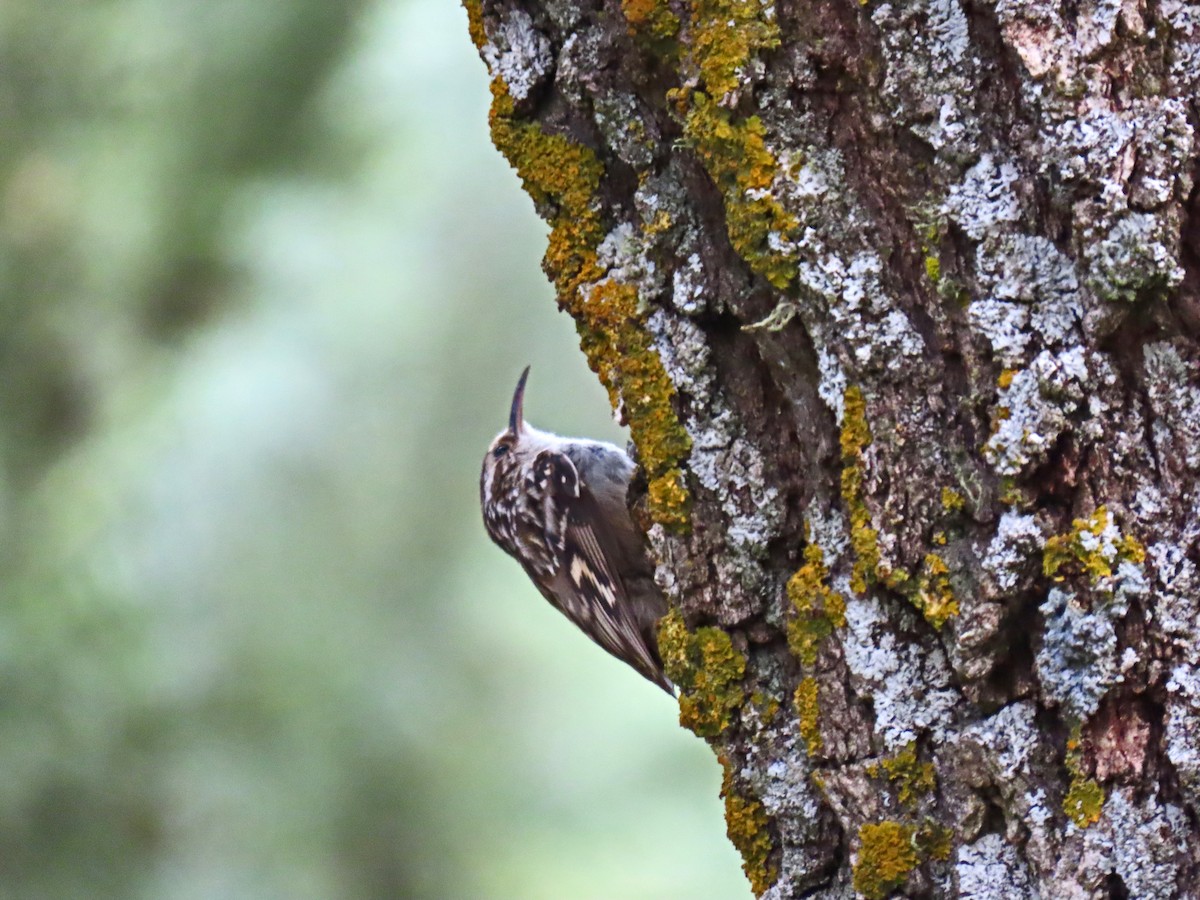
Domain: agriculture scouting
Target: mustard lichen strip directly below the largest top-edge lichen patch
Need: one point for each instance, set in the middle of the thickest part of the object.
(736, 158)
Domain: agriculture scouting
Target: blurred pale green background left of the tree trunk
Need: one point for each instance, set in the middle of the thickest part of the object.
(266, 291)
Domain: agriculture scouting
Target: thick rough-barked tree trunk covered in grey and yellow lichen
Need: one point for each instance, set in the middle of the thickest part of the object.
(901, 304)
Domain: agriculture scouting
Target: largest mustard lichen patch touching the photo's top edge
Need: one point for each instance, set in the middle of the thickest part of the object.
(725, 37)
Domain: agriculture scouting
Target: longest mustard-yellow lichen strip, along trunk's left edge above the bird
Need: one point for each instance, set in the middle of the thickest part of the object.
(563, 178)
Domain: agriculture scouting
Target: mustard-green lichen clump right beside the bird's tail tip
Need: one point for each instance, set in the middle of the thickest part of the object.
(709, 673)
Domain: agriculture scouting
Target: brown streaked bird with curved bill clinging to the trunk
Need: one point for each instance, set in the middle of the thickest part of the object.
(559, 507)
